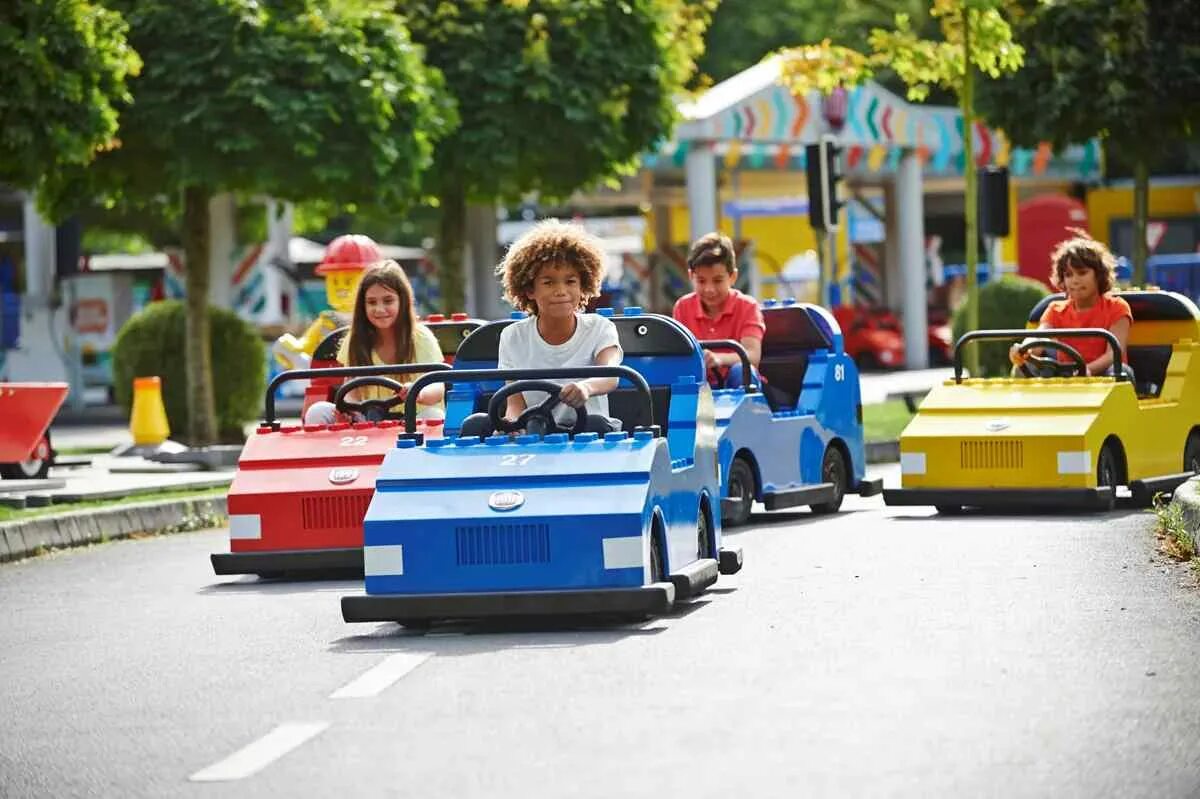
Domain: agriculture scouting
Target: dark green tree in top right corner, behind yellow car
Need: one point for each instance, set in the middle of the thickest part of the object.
(1124, 70)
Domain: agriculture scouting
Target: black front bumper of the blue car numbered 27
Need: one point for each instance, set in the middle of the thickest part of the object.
(651, 600)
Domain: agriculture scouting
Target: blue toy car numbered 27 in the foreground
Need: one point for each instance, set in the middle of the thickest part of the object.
(569, 522)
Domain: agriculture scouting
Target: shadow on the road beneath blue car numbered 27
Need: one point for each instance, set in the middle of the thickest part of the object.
(476, 636)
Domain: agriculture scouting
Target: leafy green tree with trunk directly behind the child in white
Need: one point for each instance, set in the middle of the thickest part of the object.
(553, 97)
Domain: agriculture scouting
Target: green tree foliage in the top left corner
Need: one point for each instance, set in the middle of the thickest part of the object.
(65, 68)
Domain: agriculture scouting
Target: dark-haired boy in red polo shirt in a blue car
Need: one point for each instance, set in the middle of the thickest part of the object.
(717, 310)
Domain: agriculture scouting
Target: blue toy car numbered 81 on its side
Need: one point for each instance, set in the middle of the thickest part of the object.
(799, 438)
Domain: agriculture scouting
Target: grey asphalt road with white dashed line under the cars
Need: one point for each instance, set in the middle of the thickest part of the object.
(881, 652)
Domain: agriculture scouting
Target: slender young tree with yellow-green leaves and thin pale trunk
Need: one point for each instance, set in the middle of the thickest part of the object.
(976, 37)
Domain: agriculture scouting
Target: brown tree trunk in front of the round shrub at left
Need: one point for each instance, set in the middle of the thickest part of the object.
(199, 355)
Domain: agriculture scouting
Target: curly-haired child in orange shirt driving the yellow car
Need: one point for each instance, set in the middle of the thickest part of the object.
(1085, 272)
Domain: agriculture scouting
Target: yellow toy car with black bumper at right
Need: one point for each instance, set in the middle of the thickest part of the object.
(1064, 441)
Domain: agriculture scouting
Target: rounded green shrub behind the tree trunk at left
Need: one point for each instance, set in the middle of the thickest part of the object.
(152, 344)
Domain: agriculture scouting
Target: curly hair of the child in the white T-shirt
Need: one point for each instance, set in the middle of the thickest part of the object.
(549, 243)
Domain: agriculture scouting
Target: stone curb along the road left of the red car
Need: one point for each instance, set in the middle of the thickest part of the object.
(26, 538)
